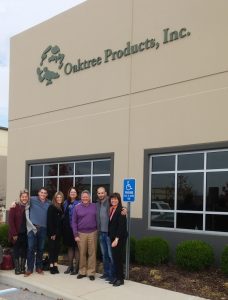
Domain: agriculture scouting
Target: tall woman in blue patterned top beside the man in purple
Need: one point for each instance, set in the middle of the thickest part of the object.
(68, 236)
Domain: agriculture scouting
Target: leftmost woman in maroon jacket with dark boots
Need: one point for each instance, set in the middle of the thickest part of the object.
(18, 232)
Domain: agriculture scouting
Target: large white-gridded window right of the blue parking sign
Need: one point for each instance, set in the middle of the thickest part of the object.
(189, 191)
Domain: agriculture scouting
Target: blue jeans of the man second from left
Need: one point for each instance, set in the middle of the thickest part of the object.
(36, 248)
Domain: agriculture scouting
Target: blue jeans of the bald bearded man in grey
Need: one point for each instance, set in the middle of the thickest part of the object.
(106, 251)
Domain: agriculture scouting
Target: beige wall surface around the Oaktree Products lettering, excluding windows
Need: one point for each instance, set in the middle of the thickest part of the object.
(170, 96)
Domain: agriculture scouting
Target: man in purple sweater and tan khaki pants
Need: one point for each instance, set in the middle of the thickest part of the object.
(84, 226)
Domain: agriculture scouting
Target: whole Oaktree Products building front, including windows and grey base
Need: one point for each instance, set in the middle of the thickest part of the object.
(130, 89)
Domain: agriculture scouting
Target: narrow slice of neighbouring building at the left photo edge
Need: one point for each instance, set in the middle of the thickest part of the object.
(3, 164)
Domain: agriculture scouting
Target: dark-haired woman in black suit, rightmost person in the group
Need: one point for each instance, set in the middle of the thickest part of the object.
(118, 236)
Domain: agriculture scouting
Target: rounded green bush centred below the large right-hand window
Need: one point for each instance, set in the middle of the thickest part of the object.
(194, 255)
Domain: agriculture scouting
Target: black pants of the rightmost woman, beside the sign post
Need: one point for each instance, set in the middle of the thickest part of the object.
(118, 258)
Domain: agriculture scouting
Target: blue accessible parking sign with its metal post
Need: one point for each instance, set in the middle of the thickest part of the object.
(128, 196)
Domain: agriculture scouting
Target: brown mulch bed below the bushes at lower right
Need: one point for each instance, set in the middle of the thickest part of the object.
(210, 284)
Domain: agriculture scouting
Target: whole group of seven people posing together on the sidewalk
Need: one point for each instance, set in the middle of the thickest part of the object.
(79, 223)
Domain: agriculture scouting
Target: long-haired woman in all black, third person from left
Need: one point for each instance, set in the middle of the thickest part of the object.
(54, 229)
